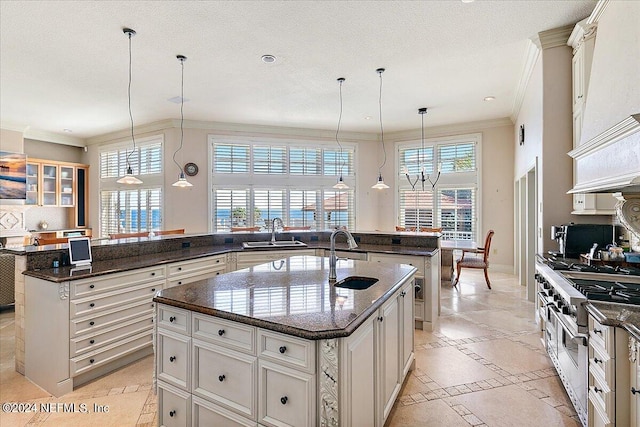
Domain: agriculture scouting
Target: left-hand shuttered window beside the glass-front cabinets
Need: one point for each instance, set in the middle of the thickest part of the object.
(126, 209)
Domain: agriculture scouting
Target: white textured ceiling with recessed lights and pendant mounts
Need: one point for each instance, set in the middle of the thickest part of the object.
(64, 64)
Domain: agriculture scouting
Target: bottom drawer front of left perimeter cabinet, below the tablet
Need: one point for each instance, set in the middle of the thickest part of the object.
(84, 363)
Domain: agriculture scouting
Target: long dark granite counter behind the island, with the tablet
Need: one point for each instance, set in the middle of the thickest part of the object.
(99, 268)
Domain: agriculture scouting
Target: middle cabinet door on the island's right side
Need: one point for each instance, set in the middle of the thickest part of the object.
(389, 351)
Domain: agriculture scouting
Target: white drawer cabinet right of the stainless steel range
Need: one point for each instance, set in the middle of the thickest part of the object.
(608, 375)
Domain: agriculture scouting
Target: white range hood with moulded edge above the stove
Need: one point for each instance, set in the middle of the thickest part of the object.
(610, 162)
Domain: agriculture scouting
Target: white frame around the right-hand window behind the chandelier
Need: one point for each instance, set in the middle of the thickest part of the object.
(451, 180)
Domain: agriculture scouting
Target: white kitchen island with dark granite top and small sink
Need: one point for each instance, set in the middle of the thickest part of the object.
(277, 344)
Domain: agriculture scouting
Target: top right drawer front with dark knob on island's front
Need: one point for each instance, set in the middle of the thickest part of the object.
(287, 350)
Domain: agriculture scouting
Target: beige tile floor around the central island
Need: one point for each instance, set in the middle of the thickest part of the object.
(483, 365)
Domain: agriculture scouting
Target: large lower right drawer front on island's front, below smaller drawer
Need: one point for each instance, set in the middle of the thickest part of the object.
(287, 397)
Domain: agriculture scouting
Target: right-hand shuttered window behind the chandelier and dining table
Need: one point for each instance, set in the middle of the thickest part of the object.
(453, 205)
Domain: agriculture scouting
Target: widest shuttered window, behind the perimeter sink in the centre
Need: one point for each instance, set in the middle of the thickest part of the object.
(280, 179)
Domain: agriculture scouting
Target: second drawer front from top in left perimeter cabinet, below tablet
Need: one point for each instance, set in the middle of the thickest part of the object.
(110, 300)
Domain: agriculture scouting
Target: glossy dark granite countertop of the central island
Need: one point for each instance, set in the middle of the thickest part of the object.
(293, 297)
